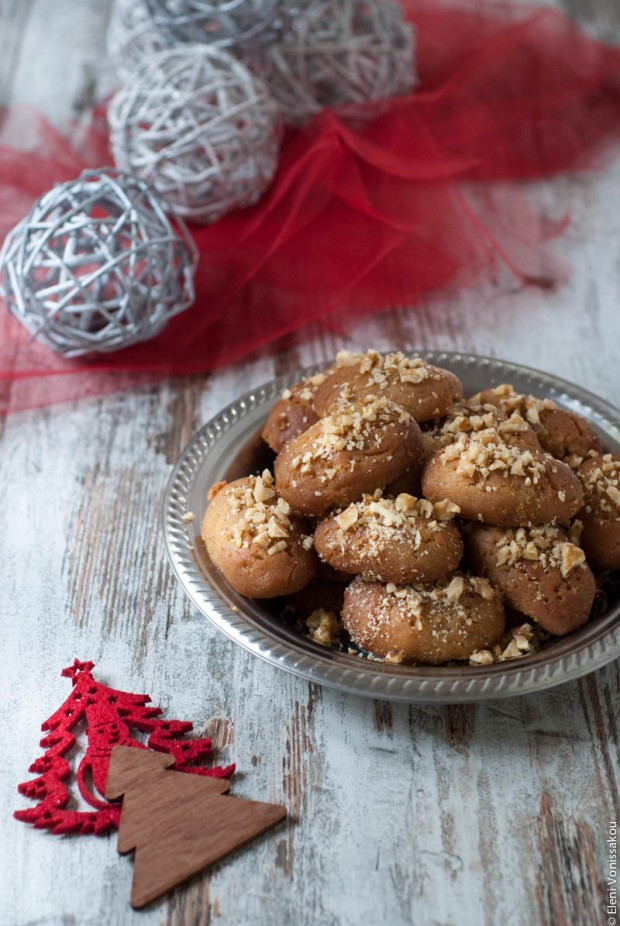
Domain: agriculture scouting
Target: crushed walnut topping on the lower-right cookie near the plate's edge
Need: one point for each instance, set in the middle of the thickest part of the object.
(546, 545)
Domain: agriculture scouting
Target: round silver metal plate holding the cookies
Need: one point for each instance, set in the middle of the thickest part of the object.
(229, 446)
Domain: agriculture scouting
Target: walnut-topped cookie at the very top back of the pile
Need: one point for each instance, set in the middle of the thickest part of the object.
(425, 391)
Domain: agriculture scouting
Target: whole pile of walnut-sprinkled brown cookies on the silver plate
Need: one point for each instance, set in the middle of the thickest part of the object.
(408, 524)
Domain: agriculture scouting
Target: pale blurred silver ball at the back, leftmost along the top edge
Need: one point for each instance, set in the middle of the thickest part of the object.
(133, 36)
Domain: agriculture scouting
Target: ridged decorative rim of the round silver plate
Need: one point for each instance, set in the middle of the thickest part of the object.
(569, 658)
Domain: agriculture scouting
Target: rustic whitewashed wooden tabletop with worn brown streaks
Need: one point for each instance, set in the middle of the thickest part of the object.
(496, 813)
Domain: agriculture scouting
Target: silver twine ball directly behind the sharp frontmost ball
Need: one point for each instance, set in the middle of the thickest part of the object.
(194, 122)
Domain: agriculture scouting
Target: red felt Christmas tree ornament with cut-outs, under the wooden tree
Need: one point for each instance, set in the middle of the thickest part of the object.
(110, 716)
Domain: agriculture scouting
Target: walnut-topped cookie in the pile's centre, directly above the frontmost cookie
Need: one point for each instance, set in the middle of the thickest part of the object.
(403, 540)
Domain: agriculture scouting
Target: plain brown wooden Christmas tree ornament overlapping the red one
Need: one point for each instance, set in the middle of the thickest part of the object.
(177, 823)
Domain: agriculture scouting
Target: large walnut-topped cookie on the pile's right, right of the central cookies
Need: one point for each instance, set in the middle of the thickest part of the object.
(502, 484)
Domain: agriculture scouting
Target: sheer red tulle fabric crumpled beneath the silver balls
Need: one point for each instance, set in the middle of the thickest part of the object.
(362, 216)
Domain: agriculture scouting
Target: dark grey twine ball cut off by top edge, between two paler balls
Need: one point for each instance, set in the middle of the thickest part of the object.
(225, 23)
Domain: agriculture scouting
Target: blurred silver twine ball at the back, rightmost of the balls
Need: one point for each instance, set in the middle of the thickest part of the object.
(337, 51)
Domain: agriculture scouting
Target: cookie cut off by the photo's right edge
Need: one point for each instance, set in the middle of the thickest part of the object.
(600, 515)
